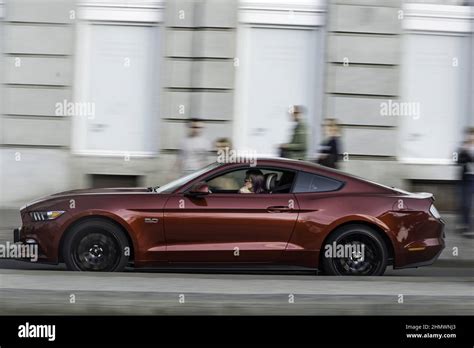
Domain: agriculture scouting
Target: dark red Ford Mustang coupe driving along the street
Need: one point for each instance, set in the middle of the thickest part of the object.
(308, 217)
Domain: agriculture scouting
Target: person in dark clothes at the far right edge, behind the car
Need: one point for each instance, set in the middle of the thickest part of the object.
(466, 160)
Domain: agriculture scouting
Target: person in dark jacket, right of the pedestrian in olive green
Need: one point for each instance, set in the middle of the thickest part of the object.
(330, 148)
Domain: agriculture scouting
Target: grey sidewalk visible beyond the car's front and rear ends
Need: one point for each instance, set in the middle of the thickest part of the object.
(10, 219)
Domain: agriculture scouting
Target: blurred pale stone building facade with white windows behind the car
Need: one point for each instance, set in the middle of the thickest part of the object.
(97, 93)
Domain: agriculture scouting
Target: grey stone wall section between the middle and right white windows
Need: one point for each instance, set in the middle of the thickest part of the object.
(363, 45)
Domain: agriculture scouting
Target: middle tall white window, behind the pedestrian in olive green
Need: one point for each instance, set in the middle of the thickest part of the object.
(280, 63)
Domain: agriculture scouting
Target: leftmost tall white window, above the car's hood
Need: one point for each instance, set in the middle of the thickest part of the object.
(117, 77)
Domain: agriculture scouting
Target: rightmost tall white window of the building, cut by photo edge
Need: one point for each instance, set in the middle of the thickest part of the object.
(435, 79)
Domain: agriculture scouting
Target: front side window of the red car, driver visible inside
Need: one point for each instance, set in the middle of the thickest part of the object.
(269, 181)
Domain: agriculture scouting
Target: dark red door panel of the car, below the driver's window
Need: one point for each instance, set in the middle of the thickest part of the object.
(229, 227)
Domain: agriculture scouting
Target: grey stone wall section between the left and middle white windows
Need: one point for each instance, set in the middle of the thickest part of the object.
(199, 61)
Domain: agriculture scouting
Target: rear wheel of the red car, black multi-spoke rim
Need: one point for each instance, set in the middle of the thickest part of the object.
(366, 256)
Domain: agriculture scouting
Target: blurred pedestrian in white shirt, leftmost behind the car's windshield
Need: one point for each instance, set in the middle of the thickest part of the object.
(194, 149)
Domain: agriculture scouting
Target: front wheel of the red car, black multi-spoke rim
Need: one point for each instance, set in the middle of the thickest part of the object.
(96, 245)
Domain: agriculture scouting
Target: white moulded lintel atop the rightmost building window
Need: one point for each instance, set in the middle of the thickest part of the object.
(440, 18)
